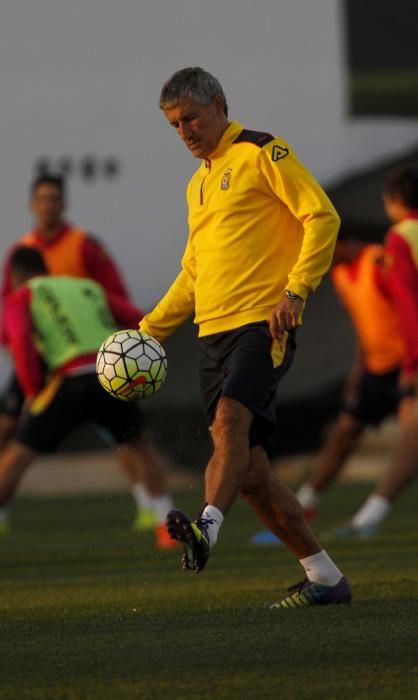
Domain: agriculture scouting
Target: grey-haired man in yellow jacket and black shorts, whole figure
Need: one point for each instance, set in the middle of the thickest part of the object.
(261, 236)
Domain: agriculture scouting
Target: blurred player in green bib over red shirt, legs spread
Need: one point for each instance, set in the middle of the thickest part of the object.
(53, 327)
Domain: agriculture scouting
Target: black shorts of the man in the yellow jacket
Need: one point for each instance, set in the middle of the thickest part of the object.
(246, 365)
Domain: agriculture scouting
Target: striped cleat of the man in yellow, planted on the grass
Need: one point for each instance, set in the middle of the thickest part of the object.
(307, 593)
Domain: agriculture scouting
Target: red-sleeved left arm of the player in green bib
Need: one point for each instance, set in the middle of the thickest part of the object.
(19, 337)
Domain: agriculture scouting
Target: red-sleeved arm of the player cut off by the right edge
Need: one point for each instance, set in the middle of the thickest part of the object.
(401, 278)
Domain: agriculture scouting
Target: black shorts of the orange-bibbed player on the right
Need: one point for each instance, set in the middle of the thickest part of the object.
(376, 397)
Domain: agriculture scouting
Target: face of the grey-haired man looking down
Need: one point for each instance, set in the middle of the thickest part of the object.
(199, 126)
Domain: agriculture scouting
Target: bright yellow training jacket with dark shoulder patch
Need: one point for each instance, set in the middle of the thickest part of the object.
(258, 223)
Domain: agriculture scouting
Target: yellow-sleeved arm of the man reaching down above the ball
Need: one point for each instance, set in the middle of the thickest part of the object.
(177, 304)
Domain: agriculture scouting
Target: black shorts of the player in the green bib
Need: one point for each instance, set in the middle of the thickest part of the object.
(68, 401)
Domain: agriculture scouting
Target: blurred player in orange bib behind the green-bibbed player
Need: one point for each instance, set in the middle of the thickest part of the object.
(66, 250)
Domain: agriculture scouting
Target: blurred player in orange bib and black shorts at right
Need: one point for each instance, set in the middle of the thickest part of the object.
(372, 391)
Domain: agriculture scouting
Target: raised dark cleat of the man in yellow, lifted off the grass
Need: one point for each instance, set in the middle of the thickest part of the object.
(193, 536)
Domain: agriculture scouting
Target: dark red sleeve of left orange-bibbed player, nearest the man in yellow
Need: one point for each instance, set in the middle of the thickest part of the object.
(102, 268)
